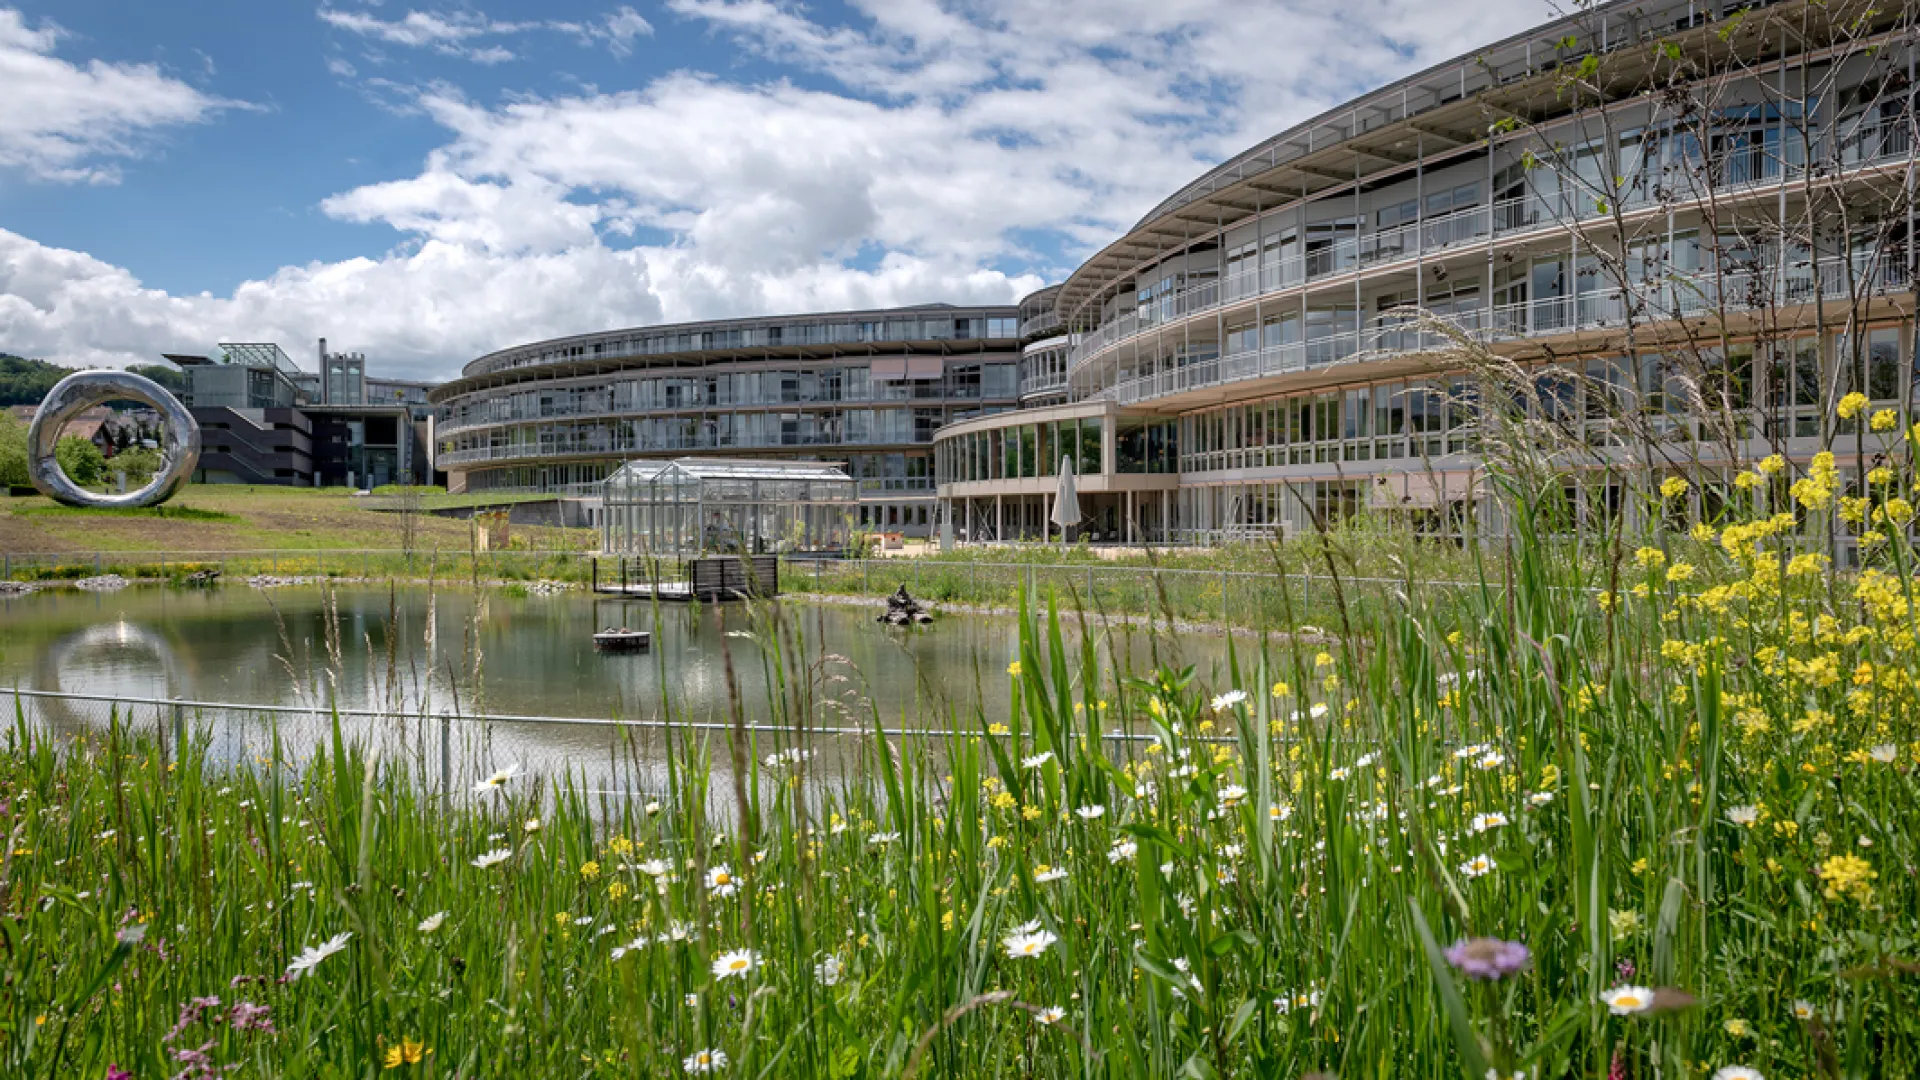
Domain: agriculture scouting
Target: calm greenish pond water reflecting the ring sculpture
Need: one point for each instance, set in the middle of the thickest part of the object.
(464, 652)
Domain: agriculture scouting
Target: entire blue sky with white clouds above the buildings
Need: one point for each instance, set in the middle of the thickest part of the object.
(433, 184)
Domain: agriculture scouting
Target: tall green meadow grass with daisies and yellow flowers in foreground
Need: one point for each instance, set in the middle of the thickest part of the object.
(1691, 797)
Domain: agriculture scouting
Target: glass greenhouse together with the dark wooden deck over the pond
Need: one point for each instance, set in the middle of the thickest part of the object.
(715, 528)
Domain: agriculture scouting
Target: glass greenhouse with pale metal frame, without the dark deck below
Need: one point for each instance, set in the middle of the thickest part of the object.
(709, 506)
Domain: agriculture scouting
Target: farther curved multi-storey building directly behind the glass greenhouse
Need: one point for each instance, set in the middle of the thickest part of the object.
(861, 389)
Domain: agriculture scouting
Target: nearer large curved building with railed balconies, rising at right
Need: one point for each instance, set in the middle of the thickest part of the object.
(1650, 237)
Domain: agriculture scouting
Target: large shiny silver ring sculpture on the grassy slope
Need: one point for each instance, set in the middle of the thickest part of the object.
(87, 389)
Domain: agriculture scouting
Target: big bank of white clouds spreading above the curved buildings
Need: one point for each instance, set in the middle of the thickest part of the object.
(961, 151)
